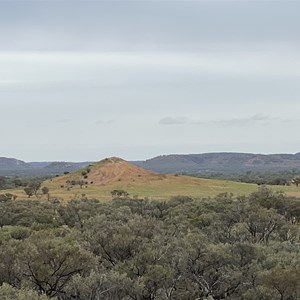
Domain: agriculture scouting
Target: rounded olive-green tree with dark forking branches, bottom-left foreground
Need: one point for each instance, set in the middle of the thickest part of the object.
(50, 261)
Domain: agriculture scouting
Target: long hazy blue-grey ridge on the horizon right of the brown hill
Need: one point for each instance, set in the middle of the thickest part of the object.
(226, 162)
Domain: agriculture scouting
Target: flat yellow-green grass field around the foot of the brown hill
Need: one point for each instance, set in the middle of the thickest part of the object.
(163, 189)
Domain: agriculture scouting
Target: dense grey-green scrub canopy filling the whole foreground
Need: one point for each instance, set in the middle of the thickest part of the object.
(225, 247)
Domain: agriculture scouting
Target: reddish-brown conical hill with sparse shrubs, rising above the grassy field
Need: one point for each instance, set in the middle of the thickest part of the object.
(109, 171)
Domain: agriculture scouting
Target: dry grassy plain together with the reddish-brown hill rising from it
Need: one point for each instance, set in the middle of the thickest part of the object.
(114, 173)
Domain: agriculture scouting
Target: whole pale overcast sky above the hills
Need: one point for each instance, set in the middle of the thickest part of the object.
(85, 80)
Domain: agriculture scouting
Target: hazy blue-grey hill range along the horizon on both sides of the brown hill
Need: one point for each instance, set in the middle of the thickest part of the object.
(223, 162)
